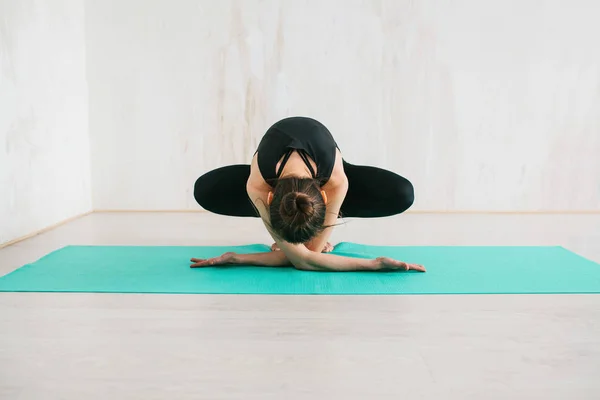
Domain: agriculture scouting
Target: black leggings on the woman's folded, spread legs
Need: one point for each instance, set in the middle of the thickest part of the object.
(372, 192)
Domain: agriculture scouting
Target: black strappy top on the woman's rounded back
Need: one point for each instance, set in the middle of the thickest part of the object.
(308, 137)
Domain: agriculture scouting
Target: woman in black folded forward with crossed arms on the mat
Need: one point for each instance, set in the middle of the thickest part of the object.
(299, 184)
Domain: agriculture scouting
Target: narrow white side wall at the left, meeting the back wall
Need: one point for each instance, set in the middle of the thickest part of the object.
(44, 142)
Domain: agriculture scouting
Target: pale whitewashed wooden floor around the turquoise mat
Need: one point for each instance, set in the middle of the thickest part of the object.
(98, 346)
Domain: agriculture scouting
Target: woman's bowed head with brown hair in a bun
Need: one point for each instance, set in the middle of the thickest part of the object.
(297, 209)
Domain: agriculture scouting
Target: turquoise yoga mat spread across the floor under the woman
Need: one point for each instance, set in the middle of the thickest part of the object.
(450, 270)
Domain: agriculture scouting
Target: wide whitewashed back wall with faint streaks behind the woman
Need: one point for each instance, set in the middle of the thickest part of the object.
(484, 105)
